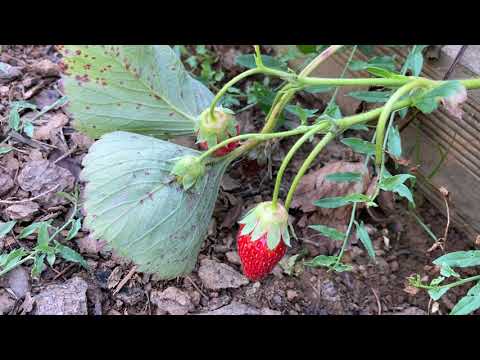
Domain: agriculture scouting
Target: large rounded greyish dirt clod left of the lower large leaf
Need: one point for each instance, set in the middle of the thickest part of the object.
(41, 176)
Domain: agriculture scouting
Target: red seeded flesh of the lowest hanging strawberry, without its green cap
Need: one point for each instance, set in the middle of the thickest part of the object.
(257, 259)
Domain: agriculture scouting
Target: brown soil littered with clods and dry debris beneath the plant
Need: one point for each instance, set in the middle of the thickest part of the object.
(112, 285)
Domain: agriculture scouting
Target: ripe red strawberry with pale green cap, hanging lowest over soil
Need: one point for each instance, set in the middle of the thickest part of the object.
(262, 239)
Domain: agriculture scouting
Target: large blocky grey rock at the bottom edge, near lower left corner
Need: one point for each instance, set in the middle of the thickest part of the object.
(69, 298)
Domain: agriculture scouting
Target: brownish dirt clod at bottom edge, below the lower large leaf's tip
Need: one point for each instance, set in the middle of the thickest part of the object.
(171, 301)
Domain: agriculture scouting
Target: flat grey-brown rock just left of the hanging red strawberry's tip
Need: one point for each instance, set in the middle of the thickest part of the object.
(216, 276)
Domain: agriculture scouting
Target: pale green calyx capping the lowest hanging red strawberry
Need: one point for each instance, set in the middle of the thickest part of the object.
(267, 219)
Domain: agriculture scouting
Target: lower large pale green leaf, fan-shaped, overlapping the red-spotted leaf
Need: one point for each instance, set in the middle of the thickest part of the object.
(134, 203)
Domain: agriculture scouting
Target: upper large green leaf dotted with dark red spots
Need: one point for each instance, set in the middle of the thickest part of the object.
(139, 88)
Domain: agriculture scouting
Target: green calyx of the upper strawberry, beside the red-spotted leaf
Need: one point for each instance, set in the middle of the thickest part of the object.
(213, 130)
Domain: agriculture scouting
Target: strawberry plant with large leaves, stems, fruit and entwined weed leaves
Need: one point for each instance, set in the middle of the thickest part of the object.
(152, 199)
